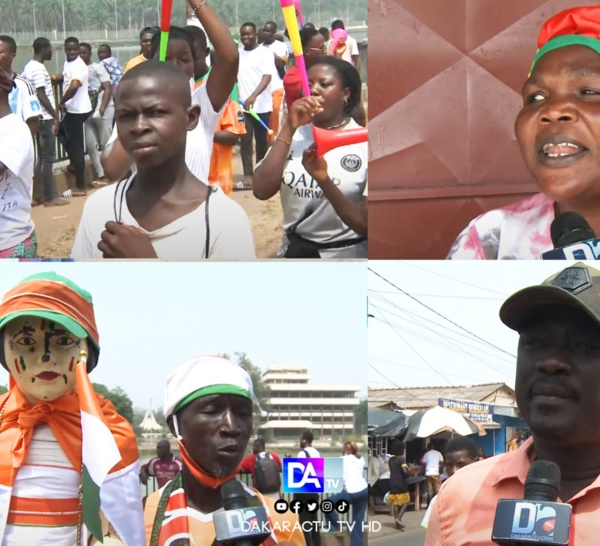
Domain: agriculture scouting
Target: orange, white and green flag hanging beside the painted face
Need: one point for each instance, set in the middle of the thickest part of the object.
(99, 449)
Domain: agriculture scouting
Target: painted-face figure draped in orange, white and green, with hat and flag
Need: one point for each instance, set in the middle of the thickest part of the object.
(69, 463)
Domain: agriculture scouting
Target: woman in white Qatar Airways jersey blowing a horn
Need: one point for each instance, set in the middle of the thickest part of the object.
(324, 200)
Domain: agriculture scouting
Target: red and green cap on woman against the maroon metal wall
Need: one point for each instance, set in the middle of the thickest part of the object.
(575, 26)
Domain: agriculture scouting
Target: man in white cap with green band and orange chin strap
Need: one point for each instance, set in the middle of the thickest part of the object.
(209, 407)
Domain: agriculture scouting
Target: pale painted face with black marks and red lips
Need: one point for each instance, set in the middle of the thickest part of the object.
(41, 356)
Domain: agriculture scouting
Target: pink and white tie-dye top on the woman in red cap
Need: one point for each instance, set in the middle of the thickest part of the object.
(520, 231)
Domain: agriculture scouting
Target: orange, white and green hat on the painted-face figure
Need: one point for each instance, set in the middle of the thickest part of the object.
(54, 298)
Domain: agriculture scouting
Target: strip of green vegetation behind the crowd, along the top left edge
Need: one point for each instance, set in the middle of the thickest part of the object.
(17, 16)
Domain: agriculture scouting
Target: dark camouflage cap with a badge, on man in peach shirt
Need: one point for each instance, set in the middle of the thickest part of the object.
(577, 286)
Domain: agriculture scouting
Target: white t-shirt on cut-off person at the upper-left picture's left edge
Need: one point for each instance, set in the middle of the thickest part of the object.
(16, 152)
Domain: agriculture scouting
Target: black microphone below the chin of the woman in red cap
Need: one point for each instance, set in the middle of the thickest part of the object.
(573, 239)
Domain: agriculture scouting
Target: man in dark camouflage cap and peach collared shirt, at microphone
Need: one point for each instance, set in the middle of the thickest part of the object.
(557, 385)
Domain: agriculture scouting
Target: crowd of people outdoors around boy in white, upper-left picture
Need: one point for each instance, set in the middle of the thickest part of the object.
(163, 167)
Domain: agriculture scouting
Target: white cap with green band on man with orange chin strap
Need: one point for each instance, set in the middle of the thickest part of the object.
(208, 374)
